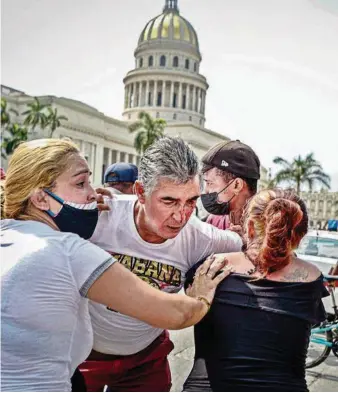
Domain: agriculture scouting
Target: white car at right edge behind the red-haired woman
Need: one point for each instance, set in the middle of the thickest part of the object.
(320, 248)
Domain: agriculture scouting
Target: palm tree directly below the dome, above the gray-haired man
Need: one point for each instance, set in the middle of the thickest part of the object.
(148, 131)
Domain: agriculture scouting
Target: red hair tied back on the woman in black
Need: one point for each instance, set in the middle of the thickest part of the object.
(280, 221)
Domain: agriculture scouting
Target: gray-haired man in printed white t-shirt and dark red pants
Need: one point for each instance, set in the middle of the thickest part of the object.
(154, 235)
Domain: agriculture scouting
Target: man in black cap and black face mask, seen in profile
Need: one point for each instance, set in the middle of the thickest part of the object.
(231, 171)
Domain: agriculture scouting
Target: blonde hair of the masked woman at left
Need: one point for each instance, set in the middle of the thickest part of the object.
(34, 165)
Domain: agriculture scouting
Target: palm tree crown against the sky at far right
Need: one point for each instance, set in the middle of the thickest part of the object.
(302, 170)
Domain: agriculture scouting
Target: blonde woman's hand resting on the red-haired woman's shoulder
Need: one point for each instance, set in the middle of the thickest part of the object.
(208, 276)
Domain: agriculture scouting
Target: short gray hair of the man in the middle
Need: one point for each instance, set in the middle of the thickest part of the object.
(170, 158)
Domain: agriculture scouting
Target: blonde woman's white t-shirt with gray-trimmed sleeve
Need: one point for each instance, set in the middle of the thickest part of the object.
(45, 324)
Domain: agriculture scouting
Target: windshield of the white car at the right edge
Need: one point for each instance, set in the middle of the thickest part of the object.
(319, 247)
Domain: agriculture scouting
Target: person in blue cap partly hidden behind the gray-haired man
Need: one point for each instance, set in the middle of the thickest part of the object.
(120, 178)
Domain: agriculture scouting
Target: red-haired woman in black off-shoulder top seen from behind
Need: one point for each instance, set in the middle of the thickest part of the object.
(256, 335)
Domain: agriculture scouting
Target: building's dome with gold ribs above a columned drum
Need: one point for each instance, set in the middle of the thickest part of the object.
(166, 81)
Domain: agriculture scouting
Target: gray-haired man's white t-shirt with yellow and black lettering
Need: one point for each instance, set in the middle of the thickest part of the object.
(163, 266)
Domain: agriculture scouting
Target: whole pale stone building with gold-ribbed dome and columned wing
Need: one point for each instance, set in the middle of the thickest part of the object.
(165, 82)
